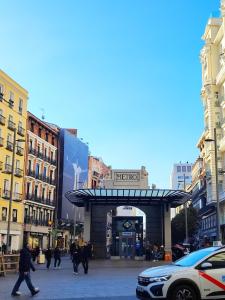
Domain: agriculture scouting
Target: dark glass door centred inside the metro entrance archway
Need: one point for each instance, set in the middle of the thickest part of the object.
(127, 246)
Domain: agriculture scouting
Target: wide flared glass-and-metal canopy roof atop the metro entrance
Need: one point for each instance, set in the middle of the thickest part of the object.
(127, 196)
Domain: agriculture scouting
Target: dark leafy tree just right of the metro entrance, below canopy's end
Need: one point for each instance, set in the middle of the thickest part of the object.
(178, 224)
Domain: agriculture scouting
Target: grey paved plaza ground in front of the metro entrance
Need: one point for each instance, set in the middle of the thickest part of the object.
(109, 280)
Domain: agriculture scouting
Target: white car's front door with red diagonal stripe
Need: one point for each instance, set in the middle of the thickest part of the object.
(212, 278)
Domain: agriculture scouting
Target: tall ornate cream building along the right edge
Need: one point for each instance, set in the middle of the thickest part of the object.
(213, 98)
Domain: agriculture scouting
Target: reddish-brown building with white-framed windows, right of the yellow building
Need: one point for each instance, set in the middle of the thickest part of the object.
(40, 181)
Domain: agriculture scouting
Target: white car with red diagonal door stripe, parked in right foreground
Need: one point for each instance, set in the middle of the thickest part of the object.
(199, 275)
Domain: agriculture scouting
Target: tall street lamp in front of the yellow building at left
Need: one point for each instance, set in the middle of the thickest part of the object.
(11, 187)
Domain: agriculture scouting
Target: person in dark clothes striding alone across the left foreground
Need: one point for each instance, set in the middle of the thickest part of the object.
(25, 265)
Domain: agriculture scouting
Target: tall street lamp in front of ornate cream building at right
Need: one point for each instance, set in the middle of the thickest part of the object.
(218, 233)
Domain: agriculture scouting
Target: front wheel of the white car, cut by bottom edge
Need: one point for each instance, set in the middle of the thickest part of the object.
(184, 292)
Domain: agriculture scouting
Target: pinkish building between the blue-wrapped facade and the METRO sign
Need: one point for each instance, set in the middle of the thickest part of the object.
(97, 172)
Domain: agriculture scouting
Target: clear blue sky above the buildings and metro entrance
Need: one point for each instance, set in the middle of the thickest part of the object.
(126, 73)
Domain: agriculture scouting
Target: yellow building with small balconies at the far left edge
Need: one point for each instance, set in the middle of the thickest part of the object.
(13, 117)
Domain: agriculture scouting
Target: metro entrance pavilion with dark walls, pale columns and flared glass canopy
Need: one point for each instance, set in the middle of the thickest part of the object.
(155, 203)
